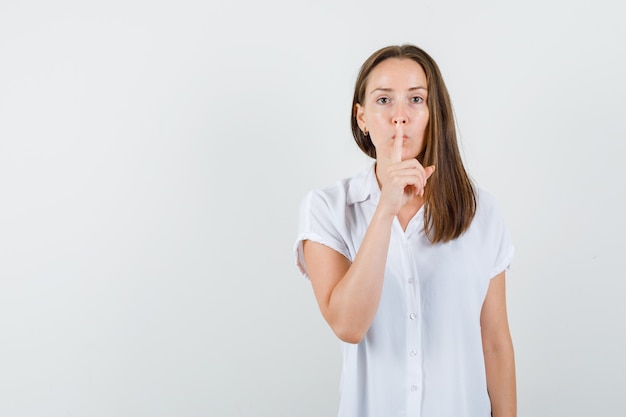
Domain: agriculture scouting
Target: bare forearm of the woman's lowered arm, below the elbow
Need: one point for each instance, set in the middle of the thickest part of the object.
(500, 367)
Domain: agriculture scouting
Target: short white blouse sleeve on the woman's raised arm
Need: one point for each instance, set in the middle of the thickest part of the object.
(318, 222)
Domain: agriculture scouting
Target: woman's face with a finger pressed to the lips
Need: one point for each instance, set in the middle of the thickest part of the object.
(395, 94)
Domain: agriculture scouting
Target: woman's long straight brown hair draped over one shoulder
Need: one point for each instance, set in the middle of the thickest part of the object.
(449, 197)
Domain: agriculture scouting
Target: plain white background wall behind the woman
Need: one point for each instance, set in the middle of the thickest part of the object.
(152, 160)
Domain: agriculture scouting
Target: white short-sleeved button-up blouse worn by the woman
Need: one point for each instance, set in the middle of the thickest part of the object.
(422, 355)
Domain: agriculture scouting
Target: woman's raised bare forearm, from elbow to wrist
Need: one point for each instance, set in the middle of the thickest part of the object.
(354, 301)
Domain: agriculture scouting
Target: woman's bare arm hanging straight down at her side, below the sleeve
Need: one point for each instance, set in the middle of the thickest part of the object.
(498, 350)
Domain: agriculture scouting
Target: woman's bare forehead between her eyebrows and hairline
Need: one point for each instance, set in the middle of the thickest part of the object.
(396, 73)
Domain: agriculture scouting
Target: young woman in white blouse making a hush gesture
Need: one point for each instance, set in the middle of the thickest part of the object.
(407, 259)
